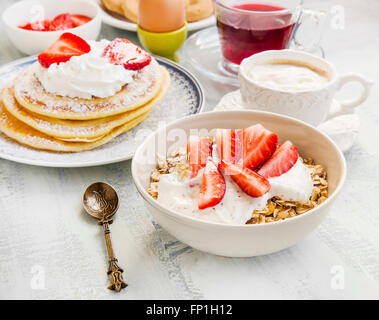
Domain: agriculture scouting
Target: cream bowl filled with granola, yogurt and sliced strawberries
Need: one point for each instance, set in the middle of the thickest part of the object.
(239, 183)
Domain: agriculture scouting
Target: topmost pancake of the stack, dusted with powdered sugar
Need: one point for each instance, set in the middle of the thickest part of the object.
(31, 94)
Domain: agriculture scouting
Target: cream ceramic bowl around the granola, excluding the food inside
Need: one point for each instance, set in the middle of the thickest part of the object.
(243, 240)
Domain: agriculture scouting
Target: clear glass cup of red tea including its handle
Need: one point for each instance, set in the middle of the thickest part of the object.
(248, 27)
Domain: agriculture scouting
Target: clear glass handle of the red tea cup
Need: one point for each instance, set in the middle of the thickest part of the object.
(319, 20)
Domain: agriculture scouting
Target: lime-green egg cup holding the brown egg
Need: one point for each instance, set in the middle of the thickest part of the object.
(163, 44)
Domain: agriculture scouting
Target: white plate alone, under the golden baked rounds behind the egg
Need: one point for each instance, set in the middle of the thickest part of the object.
(118, 21)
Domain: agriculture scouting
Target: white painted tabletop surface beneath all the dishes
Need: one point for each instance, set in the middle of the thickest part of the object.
(50, 249)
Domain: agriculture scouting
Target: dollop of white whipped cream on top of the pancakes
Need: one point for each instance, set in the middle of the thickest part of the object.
(85, 76)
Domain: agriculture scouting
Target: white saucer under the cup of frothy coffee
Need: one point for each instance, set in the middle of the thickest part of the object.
(341, 129)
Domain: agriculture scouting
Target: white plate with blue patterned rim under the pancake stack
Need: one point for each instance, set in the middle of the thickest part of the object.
(184, 87)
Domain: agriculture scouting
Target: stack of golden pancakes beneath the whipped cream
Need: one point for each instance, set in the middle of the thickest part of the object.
(41, 120)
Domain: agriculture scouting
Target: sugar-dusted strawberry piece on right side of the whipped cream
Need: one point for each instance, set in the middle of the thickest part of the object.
(123, 52)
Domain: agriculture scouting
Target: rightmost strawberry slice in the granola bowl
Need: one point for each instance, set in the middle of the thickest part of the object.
(283, 159)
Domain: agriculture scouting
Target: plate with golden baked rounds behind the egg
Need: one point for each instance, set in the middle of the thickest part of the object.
(123, 14)
